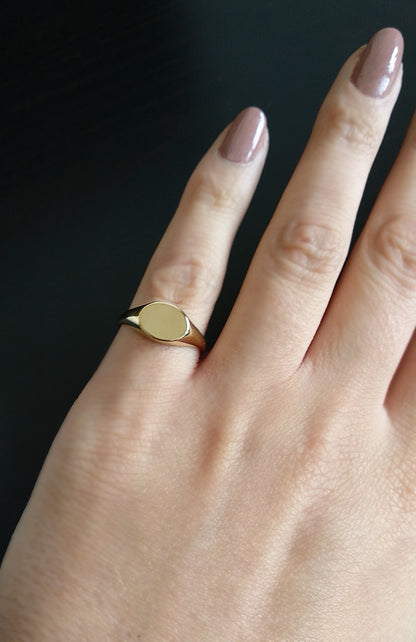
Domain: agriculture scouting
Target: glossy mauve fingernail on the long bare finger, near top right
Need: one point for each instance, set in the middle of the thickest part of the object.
(379, 64)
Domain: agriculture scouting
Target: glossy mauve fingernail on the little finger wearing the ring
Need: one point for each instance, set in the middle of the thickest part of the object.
(241, 142)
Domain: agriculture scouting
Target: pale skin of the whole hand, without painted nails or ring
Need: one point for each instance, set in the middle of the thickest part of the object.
(267, 491)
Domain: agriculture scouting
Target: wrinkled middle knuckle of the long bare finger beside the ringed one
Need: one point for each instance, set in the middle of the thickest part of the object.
(309, 248)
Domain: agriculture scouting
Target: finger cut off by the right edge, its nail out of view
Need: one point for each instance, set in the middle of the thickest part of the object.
(373, 312)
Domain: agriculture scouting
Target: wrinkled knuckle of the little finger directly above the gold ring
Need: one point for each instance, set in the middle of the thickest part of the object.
(182, 280)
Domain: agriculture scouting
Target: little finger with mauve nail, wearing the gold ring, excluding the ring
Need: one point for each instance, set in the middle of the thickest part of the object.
(188, 266)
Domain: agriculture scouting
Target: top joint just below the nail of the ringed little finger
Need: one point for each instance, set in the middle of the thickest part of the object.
(207, 189)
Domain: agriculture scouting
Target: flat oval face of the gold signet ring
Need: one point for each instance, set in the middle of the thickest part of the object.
(163, 321)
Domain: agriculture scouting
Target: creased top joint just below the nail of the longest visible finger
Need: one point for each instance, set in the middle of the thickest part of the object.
(351, 125)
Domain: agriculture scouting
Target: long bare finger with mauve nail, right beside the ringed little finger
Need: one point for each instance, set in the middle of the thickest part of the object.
(298, 260)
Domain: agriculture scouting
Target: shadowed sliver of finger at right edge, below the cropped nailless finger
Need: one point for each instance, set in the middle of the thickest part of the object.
(401, 396)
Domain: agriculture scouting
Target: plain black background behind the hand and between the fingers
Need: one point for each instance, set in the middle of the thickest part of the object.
(105, 110)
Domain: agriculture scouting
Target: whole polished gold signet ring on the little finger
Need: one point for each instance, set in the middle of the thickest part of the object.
(165, 323)
